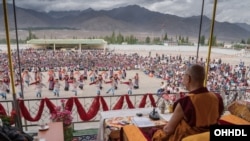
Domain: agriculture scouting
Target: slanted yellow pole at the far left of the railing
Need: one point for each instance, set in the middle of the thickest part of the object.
(15, 102)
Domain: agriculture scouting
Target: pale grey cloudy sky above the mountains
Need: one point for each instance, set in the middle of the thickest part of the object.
(227, 10)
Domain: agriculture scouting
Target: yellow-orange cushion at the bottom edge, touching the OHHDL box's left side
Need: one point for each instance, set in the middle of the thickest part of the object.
(198, 137)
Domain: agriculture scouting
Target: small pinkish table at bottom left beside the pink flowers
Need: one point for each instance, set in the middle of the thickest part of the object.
(54, 133)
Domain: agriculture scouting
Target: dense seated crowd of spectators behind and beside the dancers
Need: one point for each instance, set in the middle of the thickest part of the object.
(221, 76)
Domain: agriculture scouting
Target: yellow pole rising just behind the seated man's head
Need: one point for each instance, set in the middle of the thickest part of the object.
(210, 42)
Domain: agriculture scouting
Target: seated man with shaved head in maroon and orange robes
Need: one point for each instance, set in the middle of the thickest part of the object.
(193, 113)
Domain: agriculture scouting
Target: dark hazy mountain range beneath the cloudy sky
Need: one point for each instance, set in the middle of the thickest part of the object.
(127, 19)
